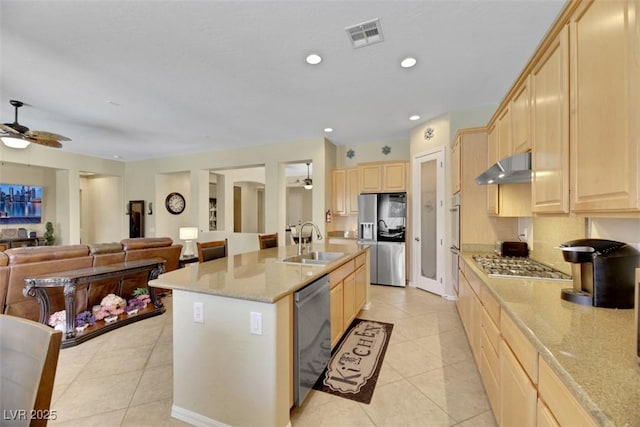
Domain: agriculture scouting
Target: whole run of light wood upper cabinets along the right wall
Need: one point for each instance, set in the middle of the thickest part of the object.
(576, 106)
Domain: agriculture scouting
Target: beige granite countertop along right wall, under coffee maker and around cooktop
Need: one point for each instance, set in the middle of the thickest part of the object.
(591, 349)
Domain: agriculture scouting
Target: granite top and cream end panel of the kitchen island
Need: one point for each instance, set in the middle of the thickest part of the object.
(233, 334)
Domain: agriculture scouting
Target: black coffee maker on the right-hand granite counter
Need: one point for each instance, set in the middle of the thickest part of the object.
(603, 272)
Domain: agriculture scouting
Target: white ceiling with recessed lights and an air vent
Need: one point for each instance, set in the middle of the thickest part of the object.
(149, 79)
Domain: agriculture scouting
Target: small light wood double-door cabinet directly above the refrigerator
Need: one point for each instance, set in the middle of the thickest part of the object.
(383, 177)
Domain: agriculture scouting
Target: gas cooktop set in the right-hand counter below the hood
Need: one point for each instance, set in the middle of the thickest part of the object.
(522, 267)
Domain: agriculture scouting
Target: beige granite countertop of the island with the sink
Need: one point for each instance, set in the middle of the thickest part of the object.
(255, 276)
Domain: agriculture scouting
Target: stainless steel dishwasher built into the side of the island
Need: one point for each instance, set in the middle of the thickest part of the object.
(312, 336)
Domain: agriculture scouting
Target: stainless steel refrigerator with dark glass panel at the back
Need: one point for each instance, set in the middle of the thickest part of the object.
(381, 224)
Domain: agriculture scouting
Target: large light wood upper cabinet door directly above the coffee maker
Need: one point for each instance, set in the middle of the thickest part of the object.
(605, 106)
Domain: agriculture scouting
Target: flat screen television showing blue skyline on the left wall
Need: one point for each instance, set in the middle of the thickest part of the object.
(20, 204)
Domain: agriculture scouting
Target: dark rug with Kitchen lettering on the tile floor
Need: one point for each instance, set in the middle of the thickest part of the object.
(355, 363)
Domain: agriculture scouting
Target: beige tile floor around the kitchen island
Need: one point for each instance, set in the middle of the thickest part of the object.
(428, 377)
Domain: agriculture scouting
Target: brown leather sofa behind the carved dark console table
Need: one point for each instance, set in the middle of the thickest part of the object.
(16, 264)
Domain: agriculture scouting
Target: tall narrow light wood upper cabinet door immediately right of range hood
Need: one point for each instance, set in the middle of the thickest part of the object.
(550, 133)
